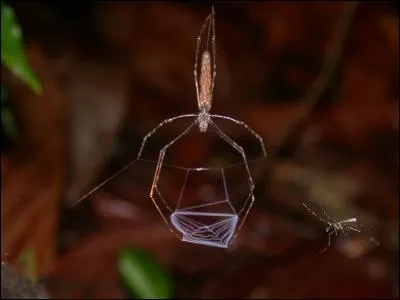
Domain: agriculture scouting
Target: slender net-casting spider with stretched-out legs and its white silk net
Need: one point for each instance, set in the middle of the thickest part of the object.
(203, 119)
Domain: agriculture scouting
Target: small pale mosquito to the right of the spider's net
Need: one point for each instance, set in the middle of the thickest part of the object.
(334, 227)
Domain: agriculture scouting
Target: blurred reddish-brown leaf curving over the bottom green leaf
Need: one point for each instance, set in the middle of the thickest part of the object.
(90, 269)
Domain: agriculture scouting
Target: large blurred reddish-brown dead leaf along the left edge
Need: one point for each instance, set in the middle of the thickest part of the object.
(34, 172)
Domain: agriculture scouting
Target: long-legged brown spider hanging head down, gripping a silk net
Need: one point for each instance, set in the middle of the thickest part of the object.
(204, 119)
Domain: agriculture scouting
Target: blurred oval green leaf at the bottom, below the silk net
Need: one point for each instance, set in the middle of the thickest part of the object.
(143, 276)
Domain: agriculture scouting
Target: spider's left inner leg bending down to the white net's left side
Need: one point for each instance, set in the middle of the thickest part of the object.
(157, 174)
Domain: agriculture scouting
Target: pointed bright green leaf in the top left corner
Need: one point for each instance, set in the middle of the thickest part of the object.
(12, 49)
